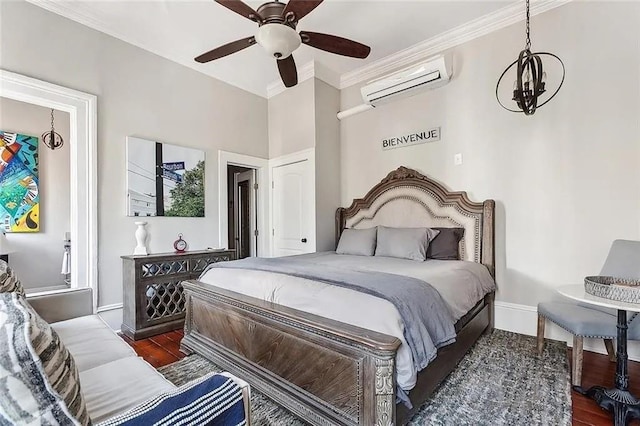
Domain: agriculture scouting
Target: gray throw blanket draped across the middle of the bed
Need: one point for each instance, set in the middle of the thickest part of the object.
(428, 323)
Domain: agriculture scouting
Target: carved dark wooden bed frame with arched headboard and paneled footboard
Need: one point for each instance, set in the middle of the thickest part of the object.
(325, 371)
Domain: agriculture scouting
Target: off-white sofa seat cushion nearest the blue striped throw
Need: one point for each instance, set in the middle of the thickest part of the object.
(117, 386)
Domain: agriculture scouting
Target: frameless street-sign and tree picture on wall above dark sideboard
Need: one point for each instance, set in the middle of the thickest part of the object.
(160, 171)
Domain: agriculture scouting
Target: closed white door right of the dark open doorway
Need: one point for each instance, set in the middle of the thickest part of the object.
(293, 209)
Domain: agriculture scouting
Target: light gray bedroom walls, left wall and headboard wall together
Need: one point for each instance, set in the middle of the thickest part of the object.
(566, 181)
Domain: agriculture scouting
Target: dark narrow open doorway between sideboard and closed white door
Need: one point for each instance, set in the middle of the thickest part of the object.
(242, 187)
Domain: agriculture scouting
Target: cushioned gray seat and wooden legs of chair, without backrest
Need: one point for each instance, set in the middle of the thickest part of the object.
(581, 322)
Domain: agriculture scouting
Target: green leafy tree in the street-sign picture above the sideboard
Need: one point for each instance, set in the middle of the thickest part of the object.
(187, 198)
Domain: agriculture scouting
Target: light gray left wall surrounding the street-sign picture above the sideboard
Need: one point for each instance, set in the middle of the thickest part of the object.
(139, 94)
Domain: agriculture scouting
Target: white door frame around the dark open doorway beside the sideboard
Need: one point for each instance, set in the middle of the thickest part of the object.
(263, 201)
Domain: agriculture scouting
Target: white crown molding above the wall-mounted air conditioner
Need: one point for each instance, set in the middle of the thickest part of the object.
(471, 30)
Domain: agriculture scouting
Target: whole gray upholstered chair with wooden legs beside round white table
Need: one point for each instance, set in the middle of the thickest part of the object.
(582, 321)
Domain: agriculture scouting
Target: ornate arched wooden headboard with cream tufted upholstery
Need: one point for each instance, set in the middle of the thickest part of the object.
(406, 198)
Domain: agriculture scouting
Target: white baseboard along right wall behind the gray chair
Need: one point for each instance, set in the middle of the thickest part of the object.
(523, 319)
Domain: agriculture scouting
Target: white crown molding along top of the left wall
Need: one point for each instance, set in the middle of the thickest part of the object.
(74, 11)
